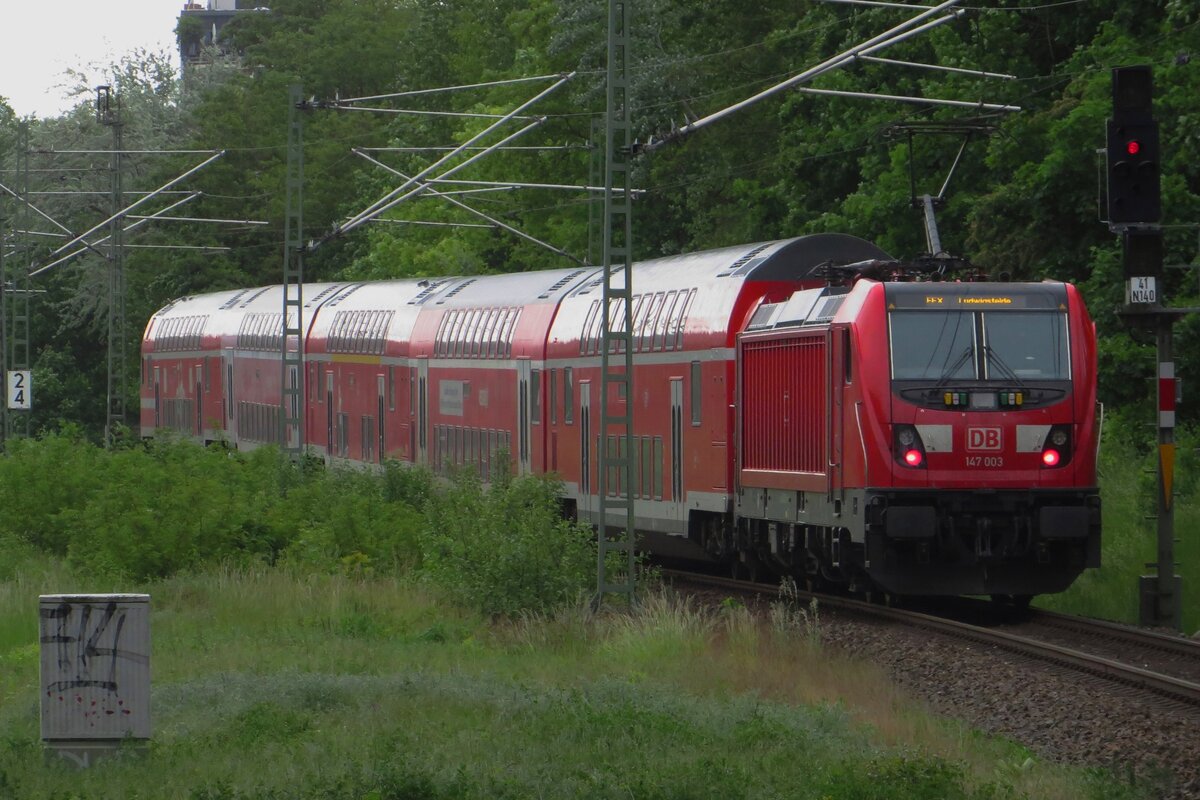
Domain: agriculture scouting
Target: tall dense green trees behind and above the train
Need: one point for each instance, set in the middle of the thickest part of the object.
(1023, 201)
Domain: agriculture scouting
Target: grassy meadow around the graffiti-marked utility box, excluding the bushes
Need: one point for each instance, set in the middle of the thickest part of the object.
(272, 683)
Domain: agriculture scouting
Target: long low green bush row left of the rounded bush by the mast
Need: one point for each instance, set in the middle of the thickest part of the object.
(148, 512)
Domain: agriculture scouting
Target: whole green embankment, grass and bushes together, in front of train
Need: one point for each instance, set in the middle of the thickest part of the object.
(332, 648)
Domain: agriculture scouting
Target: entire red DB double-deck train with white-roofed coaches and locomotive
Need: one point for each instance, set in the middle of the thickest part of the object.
(905, 437)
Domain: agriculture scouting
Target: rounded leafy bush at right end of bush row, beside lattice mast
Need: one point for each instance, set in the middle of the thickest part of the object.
(507, 549)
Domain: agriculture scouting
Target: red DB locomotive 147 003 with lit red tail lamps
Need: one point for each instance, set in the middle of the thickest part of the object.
(922, 438)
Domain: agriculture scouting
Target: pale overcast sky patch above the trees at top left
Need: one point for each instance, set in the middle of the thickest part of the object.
(43, 39)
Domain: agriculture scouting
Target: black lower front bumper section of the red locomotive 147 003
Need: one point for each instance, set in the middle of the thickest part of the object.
(1011, 543)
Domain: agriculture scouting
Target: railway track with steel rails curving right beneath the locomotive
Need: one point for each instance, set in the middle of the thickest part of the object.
(1115, 653)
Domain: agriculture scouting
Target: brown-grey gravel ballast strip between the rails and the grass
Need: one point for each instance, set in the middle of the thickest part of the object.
(1059, 714)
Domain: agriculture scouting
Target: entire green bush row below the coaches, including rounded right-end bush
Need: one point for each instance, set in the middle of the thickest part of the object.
(151, 513)
